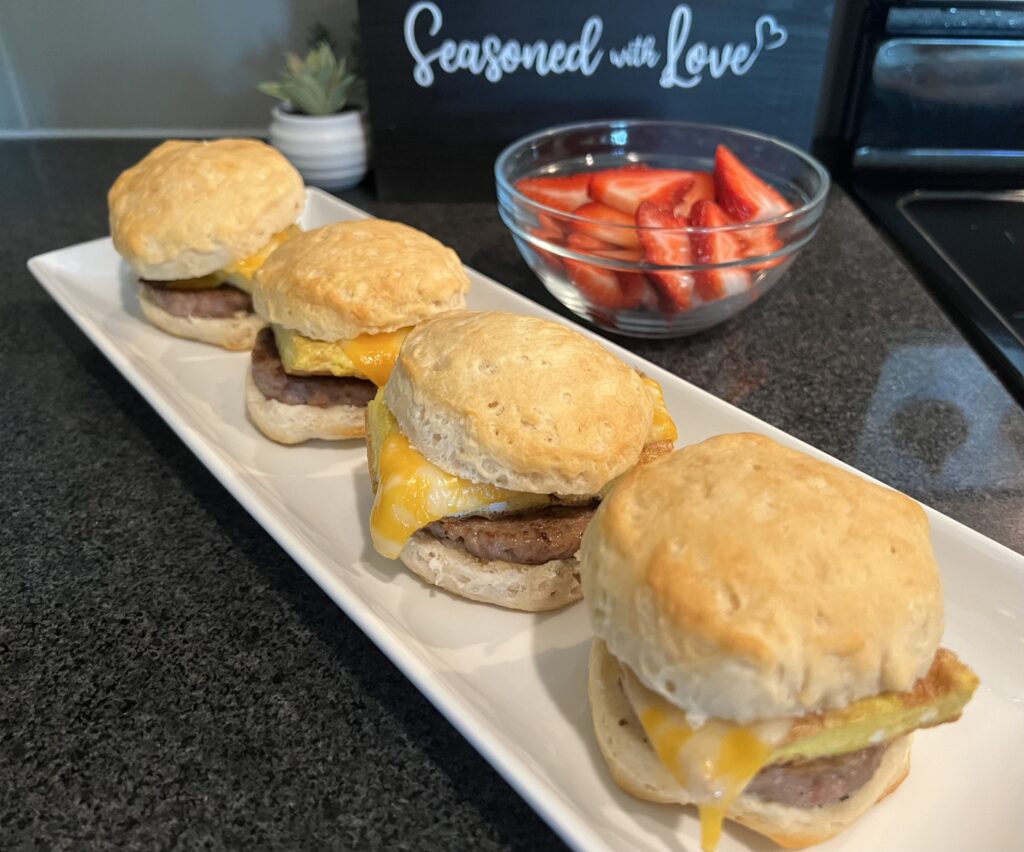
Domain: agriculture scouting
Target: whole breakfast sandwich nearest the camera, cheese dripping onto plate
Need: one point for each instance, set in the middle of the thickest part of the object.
(767, 638)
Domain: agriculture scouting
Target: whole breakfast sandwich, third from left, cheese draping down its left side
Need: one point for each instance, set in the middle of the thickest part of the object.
(491, 446)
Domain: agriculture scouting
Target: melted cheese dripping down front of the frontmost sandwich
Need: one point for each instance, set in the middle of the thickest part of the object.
(713, 762)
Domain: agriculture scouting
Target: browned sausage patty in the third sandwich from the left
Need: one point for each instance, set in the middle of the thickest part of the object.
(530, 538)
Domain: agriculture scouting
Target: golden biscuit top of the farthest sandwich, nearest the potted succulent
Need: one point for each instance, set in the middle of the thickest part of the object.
(189, 209)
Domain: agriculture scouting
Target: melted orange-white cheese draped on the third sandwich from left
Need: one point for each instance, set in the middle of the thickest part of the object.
(412, 493)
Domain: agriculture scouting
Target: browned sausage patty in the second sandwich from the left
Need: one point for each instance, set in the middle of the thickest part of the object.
(275, 384)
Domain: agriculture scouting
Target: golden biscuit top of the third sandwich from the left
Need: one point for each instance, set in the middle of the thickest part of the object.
(520, 403)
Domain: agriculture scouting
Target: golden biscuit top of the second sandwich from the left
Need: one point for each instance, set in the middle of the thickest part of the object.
(364, 277)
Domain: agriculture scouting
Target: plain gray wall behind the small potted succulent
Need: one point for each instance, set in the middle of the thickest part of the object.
(125, 67)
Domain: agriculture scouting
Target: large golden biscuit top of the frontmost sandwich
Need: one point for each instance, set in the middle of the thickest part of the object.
(747, 581)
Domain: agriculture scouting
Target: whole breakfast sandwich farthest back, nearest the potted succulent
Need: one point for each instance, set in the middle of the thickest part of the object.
(196, 221)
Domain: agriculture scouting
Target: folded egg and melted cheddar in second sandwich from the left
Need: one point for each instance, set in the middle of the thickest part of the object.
(368, 357)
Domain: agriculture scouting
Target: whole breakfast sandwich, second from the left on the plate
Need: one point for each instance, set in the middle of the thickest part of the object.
(339, 302)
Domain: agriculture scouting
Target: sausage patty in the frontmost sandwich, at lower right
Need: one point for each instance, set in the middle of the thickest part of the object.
(815, 783)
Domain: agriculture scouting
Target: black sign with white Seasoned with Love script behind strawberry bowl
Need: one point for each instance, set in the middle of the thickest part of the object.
(452, 82)
